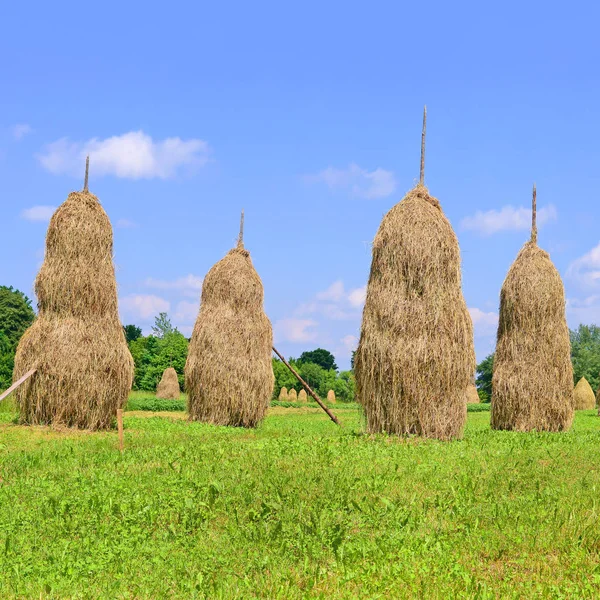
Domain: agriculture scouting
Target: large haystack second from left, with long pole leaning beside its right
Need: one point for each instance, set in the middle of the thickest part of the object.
(228, 373)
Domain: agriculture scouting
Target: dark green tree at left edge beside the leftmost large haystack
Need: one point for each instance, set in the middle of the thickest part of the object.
(16, 315)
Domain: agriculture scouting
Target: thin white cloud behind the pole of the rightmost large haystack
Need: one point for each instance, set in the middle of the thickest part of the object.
(508, 218)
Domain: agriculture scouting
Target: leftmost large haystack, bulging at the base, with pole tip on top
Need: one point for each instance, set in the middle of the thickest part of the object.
(84, 368)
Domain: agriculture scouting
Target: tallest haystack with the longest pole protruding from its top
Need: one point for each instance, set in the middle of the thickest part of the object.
(415, 357)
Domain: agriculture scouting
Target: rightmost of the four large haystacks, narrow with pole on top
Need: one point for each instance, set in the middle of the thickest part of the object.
(532, 384)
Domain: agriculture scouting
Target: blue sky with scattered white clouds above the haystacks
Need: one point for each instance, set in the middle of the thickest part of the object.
(308, 116)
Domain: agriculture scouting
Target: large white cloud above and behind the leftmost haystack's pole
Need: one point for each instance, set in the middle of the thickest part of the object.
(133, 155)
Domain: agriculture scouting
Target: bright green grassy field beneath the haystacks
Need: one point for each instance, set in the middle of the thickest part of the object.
(298, 509)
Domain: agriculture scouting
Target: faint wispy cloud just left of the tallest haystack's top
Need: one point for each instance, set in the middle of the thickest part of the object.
(360, 182)
